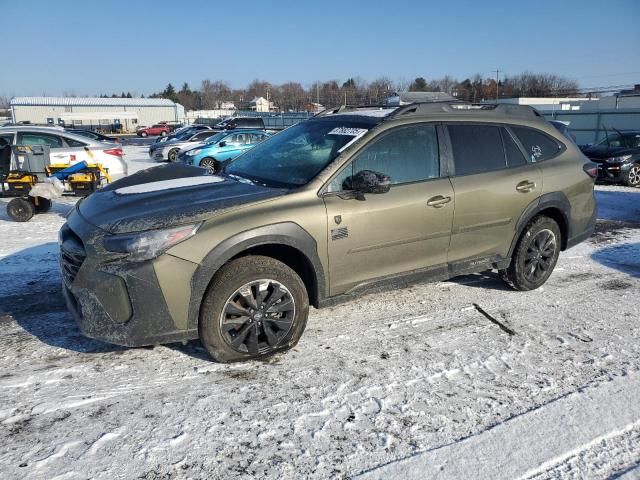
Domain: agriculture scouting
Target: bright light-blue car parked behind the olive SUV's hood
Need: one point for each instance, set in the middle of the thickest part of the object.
(222, 147)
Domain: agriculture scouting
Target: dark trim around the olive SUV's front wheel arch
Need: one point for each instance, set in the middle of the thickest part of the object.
(288, 234)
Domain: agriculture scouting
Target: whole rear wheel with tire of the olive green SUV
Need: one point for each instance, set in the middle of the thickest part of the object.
(535, 256)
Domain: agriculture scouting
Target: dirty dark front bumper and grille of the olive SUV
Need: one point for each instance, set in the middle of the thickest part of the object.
(114, 301)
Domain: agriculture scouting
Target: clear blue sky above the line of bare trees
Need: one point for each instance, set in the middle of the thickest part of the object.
(89, 47)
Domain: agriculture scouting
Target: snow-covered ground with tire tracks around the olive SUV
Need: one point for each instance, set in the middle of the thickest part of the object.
(375, 387)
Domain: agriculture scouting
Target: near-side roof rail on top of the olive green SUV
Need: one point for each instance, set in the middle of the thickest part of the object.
(497, 109)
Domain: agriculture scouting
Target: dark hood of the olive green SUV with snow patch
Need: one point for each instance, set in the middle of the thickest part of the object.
(168, 195)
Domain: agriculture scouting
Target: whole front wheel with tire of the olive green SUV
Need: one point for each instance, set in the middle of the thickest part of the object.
(233, 329)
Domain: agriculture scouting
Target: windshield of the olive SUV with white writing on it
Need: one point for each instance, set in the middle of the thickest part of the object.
(297, 154)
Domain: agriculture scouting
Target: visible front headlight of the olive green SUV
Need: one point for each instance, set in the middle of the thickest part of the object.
(147, 245)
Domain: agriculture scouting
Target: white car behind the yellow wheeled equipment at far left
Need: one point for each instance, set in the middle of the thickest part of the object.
(69, 148)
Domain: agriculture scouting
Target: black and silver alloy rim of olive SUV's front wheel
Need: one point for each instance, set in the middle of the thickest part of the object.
(257, 317)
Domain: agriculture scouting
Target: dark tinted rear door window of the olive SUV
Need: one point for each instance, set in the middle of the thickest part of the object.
(476, 148)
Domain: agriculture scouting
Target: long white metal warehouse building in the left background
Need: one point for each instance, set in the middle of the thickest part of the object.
(125, 114)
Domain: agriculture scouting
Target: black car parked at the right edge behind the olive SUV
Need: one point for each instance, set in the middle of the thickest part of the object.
(618, 158)
